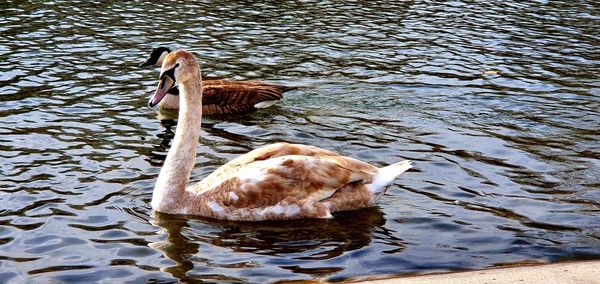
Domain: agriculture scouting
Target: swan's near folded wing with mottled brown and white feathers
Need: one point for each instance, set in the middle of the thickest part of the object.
(288, 185)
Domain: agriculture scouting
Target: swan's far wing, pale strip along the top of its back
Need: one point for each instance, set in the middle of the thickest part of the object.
(270, 151)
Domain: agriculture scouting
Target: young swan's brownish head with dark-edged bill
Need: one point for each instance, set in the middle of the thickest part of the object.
(178, 67)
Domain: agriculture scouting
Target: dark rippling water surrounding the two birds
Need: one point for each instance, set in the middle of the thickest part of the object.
(498, 104)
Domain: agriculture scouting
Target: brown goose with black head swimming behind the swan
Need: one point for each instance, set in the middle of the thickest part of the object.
(223, 96)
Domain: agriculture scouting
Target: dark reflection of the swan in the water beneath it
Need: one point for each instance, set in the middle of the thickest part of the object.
(297, 241)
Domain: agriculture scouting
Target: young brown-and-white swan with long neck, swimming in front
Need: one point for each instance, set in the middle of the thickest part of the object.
(276, 182)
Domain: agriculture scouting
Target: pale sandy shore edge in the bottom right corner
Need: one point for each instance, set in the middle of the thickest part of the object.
(560, 273)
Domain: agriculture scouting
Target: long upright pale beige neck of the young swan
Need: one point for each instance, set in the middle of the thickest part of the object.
(169, 192)
